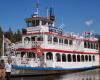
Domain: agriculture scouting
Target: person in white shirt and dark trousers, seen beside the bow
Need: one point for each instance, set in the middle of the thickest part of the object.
(8, 67)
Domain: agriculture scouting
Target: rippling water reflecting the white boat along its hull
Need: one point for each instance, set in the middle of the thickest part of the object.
(86, 75)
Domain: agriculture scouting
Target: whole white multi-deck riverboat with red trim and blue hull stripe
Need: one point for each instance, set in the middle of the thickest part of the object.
(46, 49)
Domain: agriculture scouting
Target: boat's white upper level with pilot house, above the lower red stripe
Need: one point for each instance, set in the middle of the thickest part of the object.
(41, 32)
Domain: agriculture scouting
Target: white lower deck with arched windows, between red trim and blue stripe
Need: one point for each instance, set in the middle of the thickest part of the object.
(56, 60)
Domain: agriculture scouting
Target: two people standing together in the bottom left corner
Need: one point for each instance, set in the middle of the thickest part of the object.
(5, 69)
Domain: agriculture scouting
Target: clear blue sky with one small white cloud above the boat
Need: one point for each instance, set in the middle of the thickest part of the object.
(77, 16)
